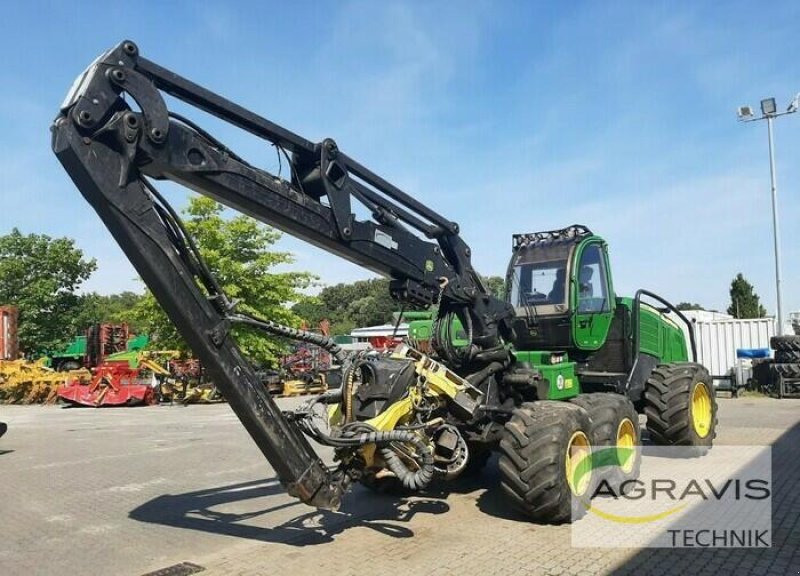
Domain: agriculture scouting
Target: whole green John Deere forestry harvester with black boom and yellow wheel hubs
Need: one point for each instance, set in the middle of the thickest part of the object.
(541, 376)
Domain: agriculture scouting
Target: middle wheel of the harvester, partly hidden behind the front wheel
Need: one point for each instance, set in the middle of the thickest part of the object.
(614, 424)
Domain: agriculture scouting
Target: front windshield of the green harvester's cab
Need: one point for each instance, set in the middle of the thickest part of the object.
(539, 283)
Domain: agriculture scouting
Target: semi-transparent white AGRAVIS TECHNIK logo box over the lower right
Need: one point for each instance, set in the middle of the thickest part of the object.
(679, 500)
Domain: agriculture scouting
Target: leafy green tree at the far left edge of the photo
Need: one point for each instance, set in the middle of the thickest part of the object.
(40, 275)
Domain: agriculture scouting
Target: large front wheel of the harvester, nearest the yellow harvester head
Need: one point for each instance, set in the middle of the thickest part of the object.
(545, 459)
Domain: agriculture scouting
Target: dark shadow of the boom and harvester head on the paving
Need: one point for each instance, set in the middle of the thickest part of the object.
(211, 510)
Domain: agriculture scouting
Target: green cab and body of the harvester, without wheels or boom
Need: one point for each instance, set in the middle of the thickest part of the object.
(570, 325)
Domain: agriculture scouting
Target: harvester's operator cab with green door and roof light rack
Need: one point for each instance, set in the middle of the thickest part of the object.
(559, 284)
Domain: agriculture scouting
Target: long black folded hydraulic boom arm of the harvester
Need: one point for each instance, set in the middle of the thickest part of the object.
(112, 150)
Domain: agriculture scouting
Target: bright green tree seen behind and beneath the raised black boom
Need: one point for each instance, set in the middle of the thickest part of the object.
(237, 251)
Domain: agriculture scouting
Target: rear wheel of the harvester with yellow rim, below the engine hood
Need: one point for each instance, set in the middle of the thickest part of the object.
(680, 405)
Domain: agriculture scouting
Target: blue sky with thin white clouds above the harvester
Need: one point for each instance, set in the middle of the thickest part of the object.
(504, 116)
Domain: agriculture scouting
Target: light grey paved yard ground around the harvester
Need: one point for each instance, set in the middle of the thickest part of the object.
(131, 491)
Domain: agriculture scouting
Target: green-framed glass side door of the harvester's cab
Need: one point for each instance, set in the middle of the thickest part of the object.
(591, 295)
